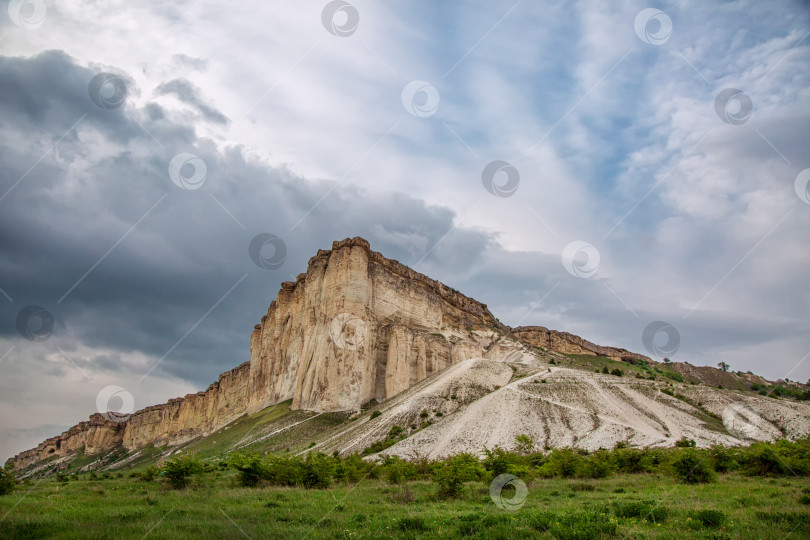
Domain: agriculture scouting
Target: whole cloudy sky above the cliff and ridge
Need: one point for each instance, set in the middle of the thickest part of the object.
(588, 168)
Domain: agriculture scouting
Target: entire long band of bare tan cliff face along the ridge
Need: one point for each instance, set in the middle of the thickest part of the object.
(355, 327)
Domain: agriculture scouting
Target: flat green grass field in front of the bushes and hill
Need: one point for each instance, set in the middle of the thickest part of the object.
(622, 506)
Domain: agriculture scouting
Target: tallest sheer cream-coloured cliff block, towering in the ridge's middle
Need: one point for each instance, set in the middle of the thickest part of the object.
(356, 327)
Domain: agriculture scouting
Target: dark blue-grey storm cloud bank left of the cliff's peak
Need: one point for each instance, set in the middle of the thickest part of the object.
(107, 172)
